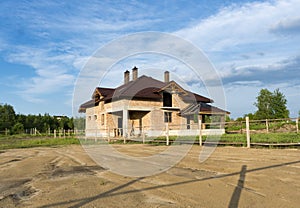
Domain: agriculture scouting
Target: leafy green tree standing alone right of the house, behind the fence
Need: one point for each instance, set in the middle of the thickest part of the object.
(271, 105)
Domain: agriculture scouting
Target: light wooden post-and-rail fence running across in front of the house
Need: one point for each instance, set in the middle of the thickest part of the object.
(243, 132)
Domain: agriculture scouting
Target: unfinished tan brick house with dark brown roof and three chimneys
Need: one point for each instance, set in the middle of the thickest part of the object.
(145, 105)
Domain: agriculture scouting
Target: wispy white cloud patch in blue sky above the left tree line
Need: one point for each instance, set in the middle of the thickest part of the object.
(51, 73)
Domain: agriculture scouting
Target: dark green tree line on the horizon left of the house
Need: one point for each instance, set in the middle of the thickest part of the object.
(19, 123)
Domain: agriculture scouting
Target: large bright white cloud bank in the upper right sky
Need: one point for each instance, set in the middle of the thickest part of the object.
(235, 26)
